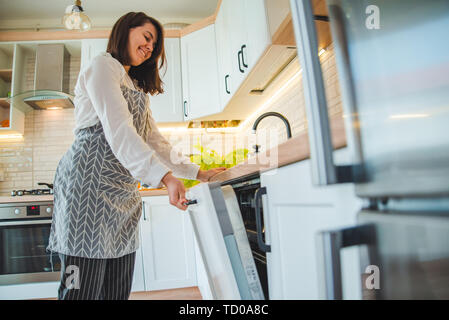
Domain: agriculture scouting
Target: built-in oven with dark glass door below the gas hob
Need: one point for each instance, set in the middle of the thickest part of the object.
(24, 235)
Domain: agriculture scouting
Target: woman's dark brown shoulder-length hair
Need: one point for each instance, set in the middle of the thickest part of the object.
(147, 73)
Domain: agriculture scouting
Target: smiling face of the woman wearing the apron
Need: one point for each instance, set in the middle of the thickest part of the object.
(141, 42)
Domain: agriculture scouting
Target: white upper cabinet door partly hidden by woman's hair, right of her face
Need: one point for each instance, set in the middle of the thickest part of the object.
(167, 107)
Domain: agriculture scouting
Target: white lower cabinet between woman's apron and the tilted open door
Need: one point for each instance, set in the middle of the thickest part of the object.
(167, 243)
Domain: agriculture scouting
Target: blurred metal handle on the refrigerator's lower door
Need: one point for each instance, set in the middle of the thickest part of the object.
(329, 246)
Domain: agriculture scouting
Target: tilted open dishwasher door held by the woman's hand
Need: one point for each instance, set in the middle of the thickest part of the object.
(223, 243)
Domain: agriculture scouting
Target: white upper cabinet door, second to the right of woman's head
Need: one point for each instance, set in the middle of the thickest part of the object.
(200, 73)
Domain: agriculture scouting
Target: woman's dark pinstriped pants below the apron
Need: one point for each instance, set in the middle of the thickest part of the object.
(96, 279)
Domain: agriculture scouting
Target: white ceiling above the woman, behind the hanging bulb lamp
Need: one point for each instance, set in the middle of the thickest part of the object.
(47, 14)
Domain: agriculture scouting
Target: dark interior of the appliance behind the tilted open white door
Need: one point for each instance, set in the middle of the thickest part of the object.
(245, 190)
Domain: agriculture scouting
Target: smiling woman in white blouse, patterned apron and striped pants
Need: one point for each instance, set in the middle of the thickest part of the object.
(97, 206)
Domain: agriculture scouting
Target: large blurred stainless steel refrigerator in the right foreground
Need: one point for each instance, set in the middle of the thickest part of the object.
(393, 69)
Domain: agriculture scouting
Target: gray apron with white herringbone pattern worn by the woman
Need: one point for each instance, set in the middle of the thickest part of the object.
(97, 205)
